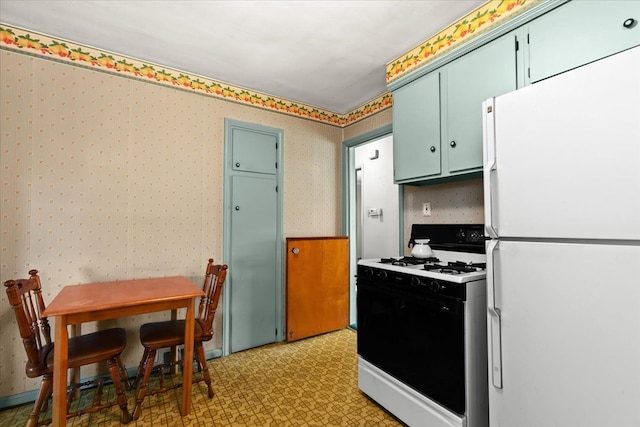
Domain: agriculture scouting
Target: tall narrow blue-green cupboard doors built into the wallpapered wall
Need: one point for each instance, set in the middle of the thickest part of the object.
(253, 244)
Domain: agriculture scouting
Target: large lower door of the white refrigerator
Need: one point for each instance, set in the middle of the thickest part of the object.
(570, 334)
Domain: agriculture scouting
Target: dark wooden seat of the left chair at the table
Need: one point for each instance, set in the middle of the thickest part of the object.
(87, 349)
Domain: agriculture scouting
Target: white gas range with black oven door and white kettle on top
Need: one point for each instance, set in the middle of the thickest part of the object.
(422, 330)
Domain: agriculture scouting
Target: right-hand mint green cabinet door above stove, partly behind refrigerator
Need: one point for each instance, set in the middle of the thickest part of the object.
(487, 71)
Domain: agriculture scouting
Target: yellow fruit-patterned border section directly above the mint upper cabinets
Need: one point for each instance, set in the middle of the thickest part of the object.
(486, 16)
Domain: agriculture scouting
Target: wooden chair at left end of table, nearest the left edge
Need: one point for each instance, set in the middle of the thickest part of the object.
(25, 296)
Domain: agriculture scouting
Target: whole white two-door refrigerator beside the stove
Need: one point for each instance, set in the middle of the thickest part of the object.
(562, 209)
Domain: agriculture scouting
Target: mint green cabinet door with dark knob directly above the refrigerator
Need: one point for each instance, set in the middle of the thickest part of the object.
(581, 32)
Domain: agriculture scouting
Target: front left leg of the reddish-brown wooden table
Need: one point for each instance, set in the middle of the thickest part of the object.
(60, 357)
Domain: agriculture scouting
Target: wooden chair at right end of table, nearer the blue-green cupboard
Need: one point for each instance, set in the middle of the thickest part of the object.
(157, 335)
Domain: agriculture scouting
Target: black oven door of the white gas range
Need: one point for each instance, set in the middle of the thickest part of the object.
(414, 338)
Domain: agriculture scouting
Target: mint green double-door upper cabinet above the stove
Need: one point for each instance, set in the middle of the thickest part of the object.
(437, 118)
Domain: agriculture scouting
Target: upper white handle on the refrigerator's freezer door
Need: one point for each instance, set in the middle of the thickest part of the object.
(490, 165)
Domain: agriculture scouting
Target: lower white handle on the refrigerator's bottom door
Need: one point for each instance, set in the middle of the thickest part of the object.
(495, 344)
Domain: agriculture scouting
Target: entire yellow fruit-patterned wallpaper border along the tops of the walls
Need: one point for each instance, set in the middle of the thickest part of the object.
(30, 42)
